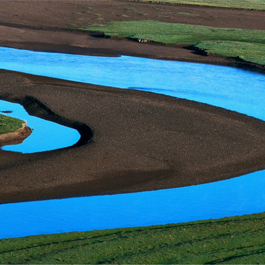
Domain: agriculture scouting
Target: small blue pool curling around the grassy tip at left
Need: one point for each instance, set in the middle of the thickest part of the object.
(46, 135)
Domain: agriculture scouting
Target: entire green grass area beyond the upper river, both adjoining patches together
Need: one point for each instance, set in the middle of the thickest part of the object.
(229, 42)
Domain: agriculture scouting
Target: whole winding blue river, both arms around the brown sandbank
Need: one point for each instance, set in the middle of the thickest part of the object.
(226, 87)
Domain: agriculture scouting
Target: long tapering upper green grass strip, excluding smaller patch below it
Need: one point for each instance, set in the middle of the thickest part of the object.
(173, 33)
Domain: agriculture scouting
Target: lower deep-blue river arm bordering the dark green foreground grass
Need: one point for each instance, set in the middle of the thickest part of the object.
(237, 196)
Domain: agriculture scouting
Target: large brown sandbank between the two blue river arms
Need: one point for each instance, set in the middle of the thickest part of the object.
(142, 141)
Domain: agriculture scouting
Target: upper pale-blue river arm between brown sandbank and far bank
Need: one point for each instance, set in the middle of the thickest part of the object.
(226, 87)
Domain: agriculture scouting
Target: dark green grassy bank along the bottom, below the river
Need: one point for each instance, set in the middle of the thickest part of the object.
(237, 240)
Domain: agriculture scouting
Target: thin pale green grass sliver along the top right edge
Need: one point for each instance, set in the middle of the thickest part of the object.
(246, 4)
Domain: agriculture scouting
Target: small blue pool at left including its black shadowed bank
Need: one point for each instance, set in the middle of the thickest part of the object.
(50, 131)
